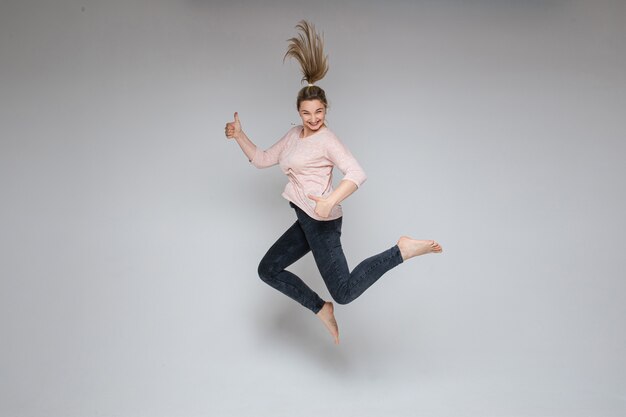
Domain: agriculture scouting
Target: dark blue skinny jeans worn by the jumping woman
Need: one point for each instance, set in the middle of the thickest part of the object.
(323, 239)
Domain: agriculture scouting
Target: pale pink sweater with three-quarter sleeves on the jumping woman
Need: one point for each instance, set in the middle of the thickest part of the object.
(308, 163)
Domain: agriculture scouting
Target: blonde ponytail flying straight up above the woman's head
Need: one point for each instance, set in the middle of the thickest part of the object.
(308, 50)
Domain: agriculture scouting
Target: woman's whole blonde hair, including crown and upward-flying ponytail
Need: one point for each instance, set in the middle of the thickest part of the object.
(308, 50)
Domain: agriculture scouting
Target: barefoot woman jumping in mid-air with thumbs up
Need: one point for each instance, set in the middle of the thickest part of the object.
(307, 154)
